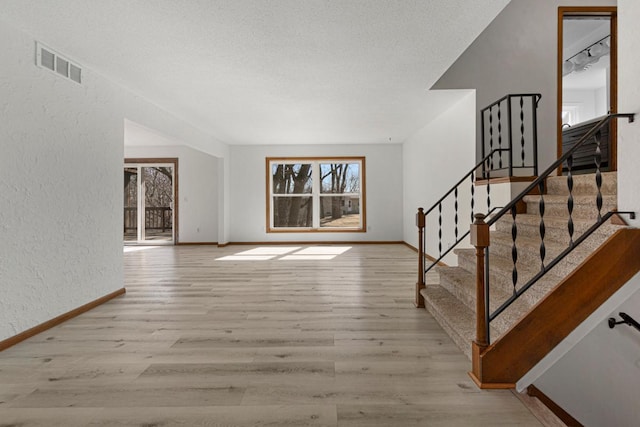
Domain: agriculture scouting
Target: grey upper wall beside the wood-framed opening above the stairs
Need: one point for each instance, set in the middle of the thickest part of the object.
(516, 54)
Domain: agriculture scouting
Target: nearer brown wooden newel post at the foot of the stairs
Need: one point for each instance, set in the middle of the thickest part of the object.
(480, 239)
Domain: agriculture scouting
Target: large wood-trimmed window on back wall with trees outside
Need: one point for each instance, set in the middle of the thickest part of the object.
(315, 194)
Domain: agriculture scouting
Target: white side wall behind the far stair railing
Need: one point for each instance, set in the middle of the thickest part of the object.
(434, 159)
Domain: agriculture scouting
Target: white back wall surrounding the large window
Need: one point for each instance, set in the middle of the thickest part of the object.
(383, 191)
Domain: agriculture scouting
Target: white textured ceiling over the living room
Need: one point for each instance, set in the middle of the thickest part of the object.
(269, 71)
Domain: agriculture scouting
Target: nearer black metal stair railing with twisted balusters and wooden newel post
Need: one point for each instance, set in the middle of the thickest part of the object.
(480, 233)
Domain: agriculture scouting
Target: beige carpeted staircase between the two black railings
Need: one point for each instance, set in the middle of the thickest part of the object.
(452, 300)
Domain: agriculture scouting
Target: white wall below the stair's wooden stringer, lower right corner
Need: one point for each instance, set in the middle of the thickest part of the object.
(598, 380)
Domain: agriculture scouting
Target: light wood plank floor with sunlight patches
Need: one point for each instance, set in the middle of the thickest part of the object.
(253, 336)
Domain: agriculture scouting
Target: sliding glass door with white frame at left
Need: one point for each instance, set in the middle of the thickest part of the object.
(149, 204)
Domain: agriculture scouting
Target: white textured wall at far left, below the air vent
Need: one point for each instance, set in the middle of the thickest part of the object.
(60, 189)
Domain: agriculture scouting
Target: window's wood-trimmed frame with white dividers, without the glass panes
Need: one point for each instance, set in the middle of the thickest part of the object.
(316, 194)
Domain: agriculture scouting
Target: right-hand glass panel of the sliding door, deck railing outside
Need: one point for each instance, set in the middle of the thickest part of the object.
(158, 203)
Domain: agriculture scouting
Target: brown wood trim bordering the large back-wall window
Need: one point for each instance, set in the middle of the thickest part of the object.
(363, 196)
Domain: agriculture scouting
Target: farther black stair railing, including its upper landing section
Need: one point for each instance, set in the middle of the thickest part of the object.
(497, 151)
